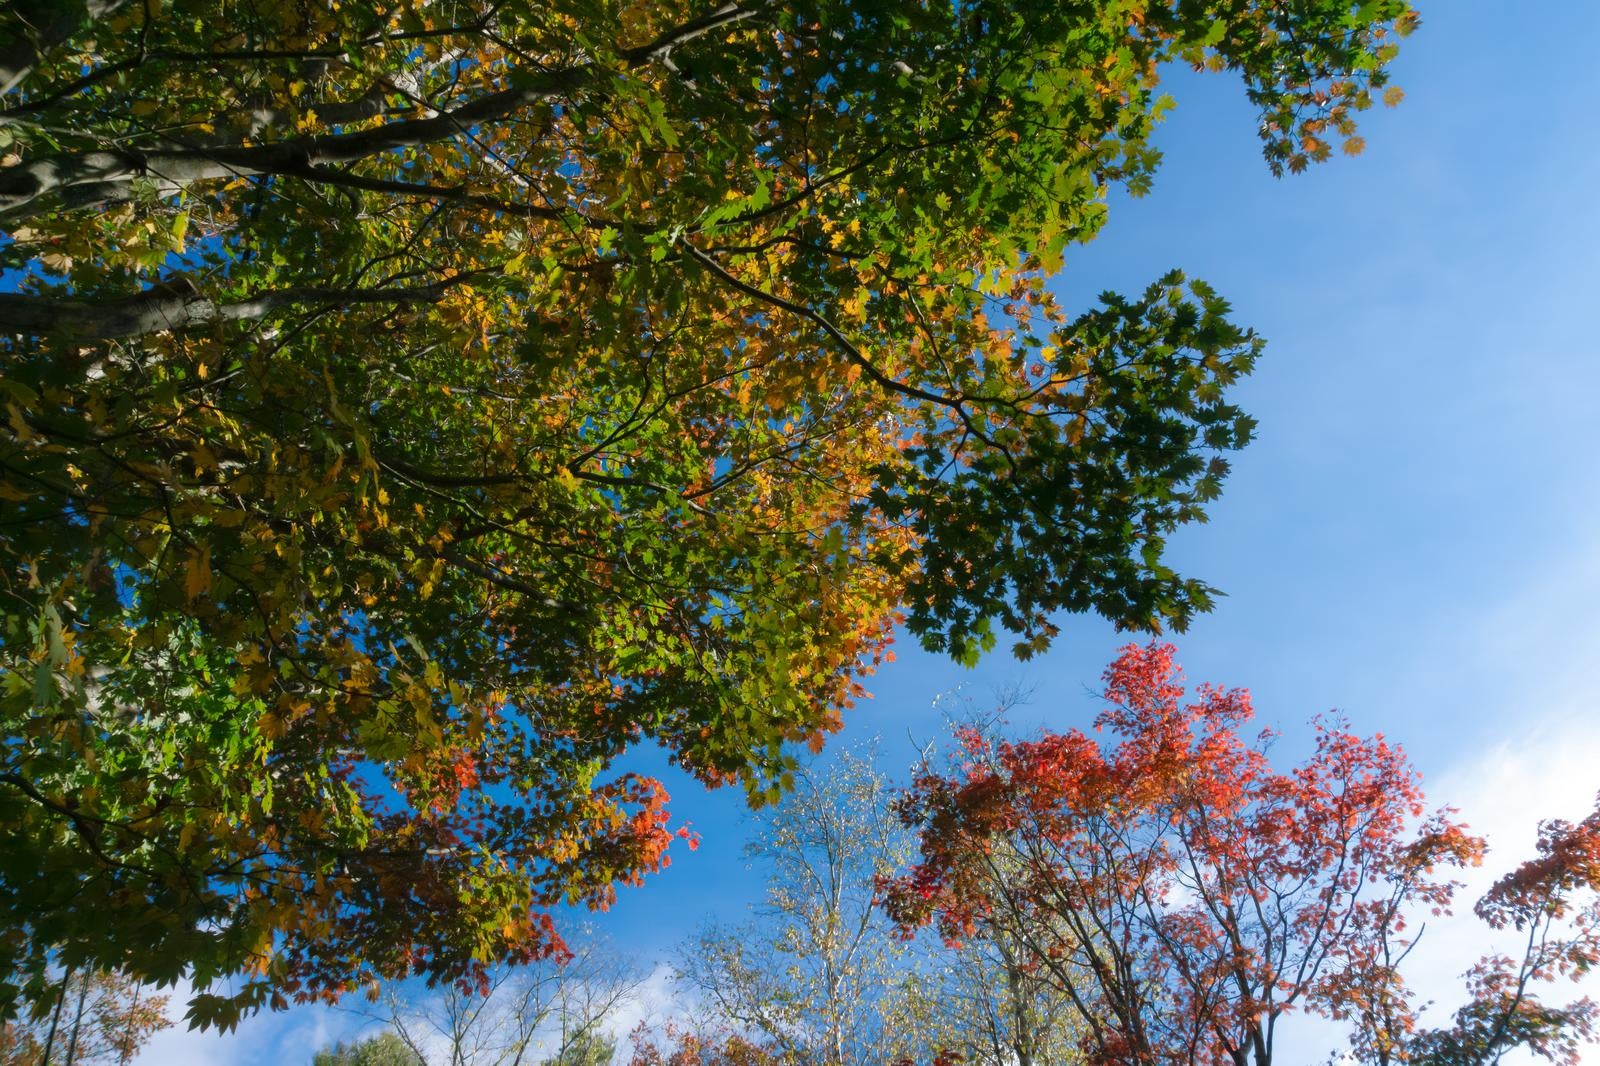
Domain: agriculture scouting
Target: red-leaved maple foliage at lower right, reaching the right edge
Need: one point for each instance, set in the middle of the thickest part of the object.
(1188, 897)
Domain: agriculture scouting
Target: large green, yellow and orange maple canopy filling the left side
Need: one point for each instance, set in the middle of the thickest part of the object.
(410, 407)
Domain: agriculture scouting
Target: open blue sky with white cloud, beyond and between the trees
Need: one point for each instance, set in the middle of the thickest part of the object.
(1412, 539)
